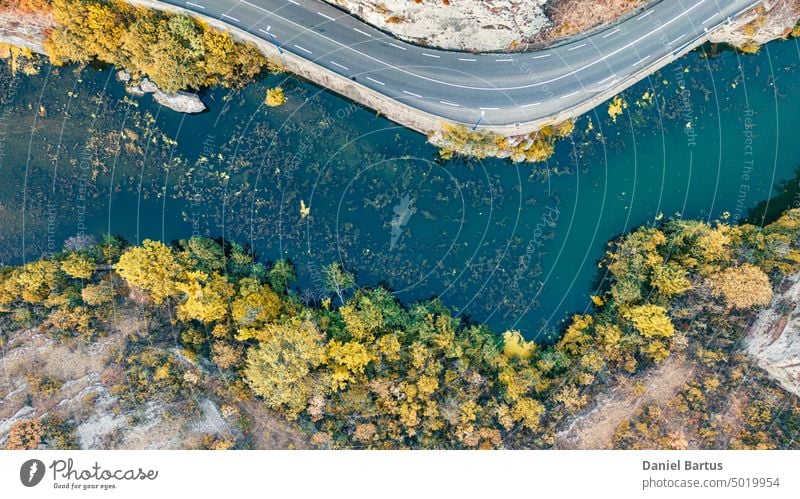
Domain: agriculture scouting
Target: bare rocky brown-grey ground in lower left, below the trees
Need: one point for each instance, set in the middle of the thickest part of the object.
(86, 374)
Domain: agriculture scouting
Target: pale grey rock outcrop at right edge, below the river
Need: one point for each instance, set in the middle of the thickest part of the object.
(773, 340)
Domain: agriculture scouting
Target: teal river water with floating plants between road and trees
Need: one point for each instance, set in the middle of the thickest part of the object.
(514, 245)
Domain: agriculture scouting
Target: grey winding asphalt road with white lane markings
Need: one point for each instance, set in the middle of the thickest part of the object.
(496, 89)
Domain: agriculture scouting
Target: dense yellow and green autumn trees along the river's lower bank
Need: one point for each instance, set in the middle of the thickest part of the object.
(359, 369)
